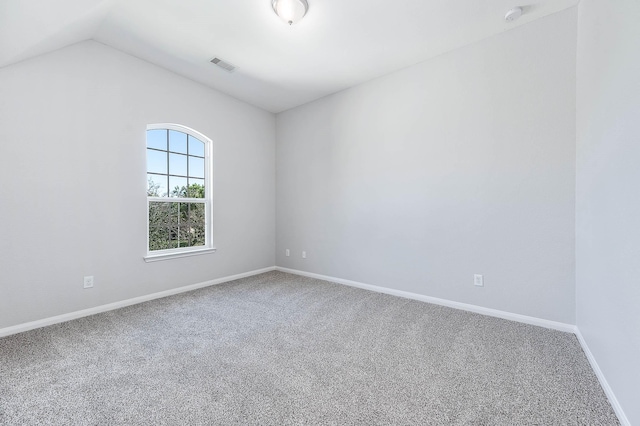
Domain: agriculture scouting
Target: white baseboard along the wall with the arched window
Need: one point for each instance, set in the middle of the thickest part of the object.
(121, 304)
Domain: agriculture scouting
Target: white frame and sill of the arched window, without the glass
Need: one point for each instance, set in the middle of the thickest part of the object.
(164, 254)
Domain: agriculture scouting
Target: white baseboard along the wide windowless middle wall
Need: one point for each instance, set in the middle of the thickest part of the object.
(570, 328)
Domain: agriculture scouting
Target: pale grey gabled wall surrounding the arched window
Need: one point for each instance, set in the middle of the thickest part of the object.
(73, 181)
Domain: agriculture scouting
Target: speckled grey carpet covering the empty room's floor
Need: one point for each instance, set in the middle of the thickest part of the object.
(278, 349)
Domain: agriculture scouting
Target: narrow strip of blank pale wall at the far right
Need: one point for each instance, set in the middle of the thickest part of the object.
(608, 193)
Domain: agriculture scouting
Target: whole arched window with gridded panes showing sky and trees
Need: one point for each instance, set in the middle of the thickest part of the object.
(179, 191)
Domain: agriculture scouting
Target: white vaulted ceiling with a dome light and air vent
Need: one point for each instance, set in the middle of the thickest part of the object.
(340, 43)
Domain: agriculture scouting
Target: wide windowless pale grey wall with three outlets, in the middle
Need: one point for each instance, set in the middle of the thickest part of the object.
(459, 165)
